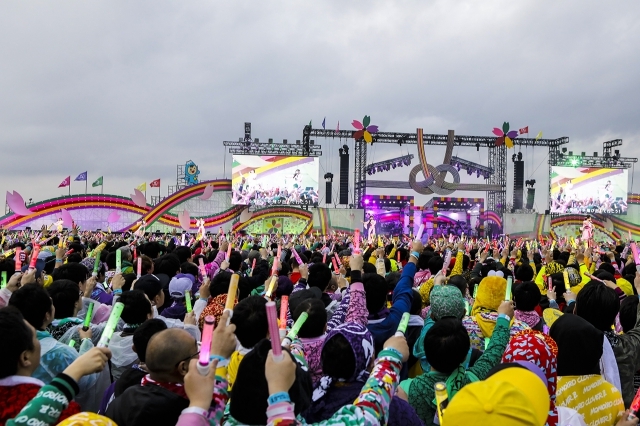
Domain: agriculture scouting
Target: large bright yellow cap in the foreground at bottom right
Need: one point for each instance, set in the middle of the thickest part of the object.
(511, 397)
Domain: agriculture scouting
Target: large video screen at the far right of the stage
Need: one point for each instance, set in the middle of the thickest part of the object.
(585, 190)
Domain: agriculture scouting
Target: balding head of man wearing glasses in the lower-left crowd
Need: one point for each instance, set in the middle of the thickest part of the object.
(168, 348)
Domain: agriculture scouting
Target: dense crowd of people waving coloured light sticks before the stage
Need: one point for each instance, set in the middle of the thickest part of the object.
(394, 331)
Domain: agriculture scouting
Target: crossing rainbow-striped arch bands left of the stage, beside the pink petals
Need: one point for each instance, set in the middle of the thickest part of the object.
(150, 214)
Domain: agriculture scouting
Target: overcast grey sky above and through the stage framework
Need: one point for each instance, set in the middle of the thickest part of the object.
(130, 89)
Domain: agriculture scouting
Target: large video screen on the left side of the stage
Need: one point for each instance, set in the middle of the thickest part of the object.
(274, 180)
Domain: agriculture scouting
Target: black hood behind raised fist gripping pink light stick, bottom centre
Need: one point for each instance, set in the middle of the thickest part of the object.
(251, 390)
